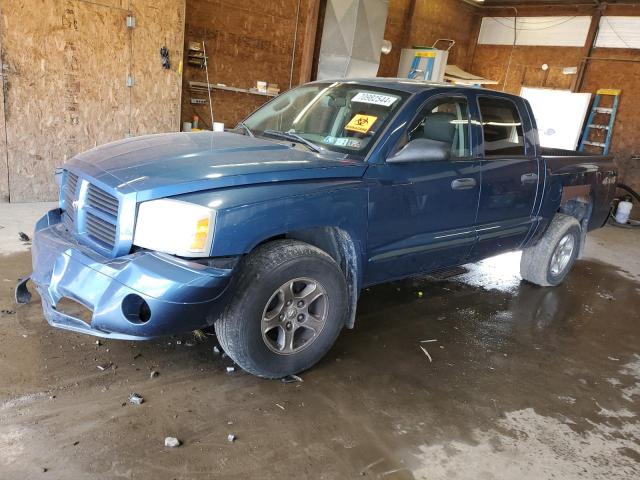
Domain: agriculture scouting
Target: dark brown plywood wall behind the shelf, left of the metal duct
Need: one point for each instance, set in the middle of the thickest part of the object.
(246, 42)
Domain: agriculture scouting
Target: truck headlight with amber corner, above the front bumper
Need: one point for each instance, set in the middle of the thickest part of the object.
(175, 227)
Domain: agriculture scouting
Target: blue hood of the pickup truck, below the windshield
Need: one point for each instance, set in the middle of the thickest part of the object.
(156, 166)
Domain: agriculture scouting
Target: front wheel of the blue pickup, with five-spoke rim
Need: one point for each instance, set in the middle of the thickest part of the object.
(261, 331)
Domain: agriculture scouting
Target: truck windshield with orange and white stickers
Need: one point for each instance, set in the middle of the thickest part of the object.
(342, 117)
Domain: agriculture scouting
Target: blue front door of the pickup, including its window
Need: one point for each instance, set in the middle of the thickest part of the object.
(422, 213)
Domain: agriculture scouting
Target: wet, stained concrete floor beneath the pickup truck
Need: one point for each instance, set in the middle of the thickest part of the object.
(523, 382)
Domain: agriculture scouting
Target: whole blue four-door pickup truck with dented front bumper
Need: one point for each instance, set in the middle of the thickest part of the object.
(270, 231)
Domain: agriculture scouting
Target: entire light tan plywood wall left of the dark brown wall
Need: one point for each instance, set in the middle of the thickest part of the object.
(67, 63)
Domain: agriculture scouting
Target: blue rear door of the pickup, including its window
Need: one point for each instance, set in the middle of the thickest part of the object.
(510, 173)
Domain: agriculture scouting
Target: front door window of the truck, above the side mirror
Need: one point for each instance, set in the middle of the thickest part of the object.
(444, 120)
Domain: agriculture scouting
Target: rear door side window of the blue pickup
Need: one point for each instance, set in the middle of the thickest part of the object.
(502, 127)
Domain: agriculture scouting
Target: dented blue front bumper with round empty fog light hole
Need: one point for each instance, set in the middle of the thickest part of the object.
(134, 297)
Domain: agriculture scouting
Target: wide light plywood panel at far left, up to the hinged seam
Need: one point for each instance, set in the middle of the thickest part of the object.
(66, 83)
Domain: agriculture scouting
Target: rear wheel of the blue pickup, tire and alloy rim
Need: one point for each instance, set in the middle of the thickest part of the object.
(539, 265)
